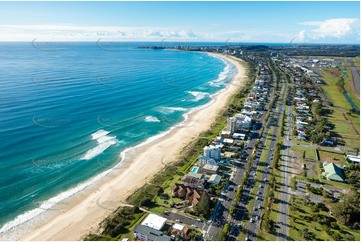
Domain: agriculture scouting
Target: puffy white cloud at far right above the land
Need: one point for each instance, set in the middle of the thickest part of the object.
(331, 28)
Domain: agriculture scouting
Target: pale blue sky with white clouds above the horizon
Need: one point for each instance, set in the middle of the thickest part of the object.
(263, 22)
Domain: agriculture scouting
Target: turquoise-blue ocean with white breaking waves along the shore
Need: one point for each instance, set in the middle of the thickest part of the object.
(69, 111)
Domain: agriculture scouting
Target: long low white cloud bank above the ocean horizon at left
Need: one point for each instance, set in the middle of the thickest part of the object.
(90, 33)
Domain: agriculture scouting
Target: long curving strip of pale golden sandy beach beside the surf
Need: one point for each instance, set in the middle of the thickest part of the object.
(86, 210)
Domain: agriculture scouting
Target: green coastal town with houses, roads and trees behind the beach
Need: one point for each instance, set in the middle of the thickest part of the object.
(284, 154)
